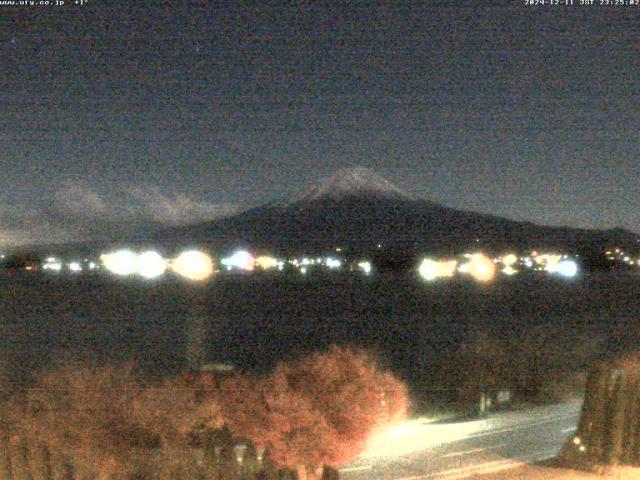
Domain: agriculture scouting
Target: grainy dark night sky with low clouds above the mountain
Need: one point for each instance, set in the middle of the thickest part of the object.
(117, 116)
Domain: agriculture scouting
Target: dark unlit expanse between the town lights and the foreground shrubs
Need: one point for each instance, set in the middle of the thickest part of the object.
(254, 321)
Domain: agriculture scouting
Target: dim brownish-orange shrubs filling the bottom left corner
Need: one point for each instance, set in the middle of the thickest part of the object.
(107, 424)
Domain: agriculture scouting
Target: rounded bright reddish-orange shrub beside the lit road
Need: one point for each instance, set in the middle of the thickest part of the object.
(317, 411)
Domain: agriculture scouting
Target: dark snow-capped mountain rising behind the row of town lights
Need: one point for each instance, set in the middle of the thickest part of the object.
(360, 211)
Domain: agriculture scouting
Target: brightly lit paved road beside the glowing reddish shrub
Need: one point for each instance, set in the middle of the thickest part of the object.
(420, 450)
